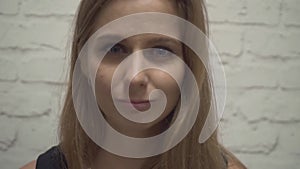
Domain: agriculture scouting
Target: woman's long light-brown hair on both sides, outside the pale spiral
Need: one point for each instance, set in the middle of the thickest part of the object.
(79, 149)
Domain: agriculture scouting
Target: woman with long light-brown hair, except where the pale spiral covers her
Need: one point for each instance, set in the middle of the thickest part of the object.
(76, 150)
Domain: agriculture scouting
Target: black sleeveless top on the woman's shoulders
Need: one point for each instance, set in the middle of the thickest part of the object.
(53, 158)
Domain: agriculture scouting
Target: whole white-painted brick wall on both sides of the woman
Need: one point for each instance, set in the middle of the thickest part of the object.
(259, 43)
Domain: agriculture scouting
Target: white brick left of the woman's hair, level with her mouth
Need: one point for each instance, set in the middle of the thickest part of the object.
(34, 100)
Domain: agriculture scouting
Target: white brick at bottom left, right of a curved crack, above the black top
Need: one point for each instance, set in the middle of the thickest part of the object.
(34, 136)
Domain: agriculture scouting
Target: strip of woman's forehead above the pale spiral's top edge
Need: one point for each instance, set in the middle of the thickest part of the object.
(115, 9)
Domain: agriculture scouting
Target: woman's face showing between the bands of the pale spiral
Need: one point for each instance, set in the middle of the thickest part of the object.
(144, 82)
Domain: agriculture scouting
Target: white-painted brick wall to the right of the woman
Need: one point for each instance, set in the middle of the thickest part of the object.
(259, 43)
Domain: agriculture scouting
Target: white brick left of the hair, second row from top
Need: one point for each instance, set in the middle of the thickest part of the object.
(35, 35)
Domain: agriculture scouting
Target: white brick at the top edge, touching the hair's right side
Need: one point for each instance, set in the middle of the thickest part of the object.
(245, 11)
